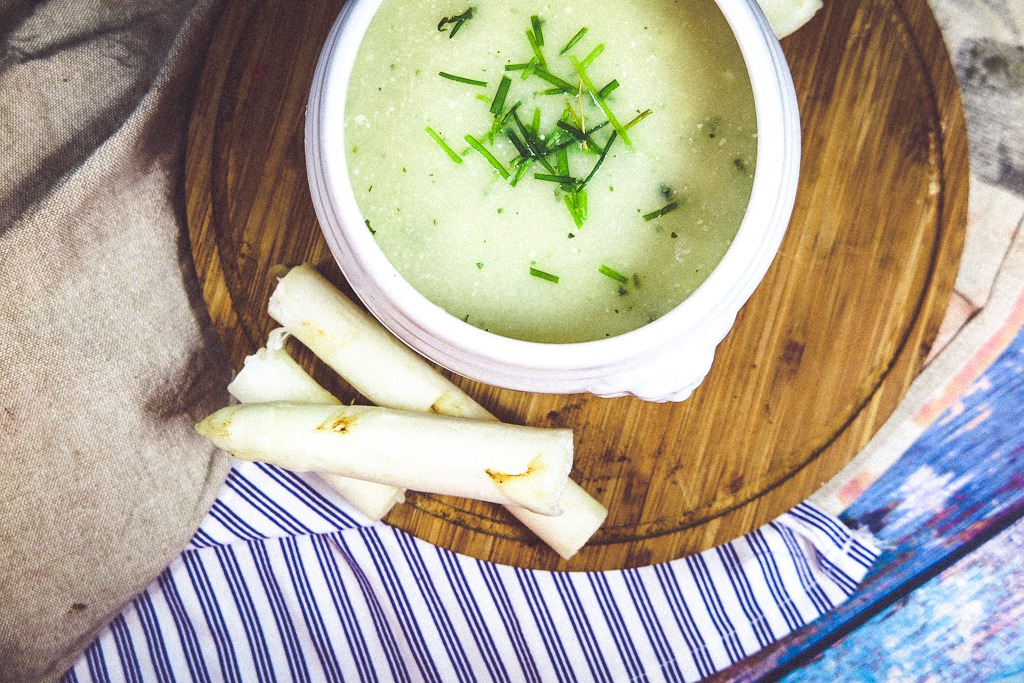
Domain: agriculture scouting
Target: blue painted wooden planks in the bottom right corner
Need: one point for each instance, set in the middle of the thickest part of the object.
(961, 486)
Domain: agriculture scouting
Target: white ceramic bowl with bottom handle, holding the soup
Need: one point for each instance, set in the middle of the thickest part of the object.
(663, 361)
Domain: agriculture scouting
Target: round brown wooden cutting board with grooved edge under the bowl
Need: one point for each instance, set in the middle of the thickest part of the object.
(819, 359)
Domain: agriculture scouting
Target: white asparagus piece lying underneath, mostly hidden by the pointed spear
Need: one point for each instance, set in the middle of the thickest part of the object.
(272, 375)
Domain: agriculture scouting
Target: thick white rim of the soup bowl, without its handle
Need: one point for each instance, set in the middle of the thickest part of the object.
(402, 308)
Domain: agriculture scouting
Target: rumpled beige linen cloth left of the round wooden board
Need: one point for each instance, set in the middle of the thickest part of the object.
(106, 355)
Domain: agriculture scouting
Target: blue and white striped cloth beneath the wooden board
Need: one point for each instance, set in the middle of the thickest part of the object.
(283, 582)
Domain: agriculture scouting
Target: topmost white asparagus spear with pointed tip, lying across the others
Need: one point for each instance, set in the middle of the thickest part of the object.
(487, 461)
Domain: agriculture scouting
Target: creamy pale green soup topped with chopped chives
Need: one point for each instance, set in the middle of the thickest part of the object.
(558, 173)
